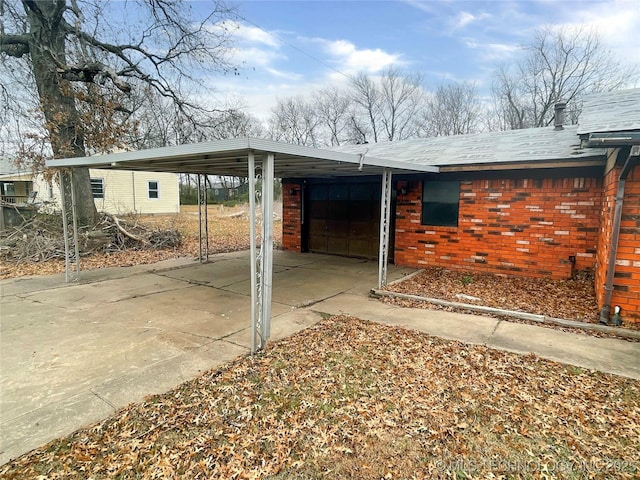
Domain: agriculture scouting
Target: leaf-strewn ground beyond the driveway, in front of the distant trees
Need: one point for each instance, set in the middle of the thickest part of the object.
(227, 233)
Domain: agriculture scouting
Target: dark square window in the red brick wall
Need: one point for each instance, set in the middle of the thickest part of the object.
(440, 201)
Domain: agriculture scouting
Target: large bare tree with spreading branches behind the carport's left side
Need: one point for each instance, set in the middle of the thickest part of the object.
(73, 58)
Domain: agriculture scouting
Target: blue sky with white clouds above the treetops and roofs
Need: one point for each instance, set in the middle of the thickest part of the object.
(295, 47)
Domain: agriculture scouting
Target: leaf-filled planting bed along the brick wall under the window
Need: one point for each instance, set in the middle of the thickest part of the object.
(572, 299)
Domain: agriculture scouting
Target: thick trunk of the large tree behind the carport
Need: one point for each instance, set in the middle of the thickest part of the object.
(47, 49)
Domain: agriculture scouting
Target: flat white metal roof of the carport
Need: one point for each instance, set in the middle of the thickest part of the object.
(229, 157)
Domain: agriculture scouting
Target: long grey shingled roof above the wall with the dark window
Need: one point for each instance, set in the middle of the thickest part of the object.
(532, 145)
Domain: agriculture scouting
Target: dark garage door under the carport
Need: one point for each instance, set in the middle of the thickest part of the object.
(344, 219)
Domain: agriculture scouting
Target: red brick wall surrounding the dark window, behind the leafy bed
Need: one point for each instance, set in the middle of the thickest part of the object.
(525, 227)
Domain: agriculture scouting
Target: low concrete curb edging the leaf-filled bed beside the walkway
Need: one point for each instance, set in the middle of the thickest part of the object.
(631, 334)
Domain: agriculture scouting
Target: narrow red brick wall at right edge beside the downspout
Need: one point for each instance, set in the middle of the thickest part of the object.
(626, 284)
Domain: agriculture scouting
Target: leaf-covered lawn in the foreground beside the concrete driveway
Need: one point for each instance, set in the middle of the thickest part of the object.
(353, 399)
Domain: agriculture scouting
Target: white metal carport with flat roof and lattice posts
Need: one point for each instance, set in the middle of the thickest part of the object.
(261, 161)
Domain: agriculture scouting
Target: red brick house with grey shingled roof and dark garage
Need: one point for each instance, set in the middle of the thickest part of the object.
(535, 202)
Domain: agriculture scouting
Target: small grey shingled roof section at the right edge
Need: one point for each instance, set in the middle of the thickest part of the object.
(610, 112)
